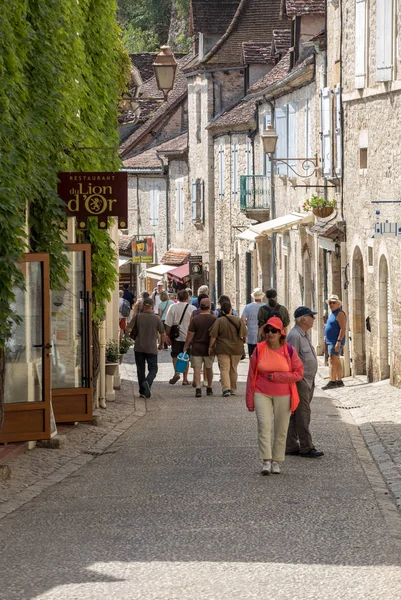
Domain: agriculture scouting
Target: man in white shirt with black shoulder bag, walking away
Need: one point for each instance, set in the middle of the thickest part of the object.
(179, 314)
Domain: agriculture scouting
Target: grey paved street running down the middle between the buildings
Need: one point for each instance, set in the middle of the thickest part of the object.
(176, 509)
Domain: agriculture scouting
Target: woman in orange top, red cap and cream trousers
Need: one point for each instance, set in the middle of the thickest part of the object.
(274, 368)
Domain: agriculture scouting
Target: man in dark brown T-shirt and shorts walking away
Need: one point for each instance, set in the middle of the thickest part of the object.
(198, 336)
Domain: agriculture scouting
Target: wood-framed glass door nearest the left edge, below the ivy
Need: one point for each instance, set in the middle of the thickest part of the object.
(27, 408)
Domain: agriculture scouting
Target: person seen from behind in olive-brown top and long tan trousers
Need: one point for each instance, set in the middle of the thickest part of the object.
(227, 337)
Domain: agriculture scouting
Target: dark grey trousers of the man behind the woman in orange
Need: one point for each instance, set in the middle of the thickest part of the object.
(298, 436)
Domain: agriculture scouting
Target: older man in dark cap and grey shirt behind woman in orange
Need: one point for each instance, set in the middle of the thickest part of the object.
(299, 438)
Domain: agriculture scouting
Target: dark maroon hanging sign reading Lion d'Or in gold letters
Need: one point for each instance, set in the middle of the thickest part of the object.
(100, 195)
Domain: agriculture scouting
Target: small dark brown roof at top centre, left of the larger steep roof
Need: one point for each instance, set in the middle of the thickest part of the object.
(211, 16)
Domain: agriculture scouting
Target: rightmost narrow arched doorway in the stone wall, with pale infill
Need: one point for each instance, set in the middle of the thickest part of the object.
(384, 320)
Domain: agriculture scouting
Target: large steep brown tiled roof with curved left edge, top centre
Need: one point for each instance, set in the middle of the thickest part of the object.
(253, 20)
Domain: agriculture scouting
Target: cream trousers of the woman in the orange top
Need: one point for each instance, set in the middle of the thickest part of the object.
(265, 406)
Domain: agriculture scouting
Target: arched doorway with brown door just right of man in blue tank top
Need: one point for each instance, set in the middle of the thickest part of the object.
(358, 315)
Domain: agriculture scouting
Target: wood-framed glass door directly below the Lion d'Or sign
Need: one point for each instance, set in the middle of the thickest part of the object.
(71, 331)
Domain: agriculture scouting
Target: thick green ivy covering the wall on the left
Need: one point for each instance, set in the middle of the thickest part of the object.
(62, 69)
